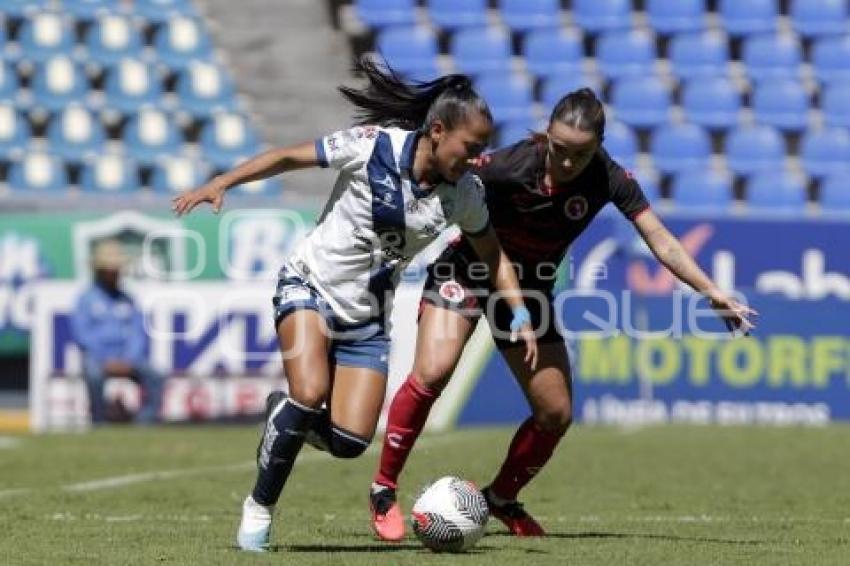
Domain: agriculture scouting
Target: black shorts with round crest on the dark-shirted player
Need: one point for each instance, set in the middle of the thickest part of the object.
(454, 283)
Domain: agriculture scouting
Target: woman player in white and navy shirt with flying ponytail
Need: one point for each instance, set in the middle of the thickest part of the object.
(402, 181)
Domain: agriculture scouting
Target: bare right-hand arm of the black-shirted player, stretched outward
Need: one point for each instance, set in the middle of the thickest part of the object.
(674, 257)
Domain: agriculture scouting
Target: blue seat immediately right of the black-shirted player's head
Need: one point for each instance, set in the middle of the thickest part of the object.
(641, 102)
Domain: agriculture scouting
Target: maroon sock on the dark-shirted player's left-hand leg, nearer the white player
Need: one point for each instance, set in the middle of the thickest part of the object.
(406, 419)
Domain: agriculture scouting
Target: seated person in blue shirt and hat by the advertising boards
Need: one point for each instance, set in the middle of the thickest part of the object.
(110, 330)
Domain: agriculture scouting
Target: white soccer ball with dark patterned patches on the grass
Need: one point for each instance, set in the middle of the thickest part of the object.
(450, 515)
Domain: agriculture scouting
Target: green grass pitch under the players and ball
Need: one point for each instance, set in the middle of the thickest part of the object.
(677, 495)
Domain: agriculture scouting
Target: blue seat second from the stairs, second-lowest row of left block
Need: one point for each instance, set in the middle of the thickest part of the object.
(150, 135)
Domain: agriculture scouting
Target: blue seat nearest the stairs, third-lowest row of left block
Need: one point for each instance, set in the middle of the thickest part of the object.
(202, 89)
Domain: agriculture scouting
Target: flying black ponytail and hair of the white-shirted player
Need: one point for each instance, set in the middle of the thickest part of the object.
(388, 100)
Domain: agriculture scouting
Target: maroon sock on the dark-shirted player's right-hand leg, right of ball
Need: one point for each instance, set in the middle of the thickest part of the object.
(530, 449)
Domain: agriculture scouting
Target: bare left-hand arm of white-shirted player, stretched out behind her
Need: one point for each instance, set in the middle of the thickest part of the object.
(264, 165)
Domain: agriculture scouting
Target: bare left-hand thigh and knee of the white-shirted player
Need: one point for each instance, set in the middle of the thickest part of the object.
(303, 339)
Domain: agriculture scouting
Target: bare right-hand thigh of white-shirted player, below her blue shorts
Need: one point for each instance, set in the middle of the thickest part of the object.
(356, 400)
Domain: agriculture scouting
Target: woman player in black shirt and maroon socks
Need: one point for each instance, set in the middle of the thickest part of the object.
(542, 193)
